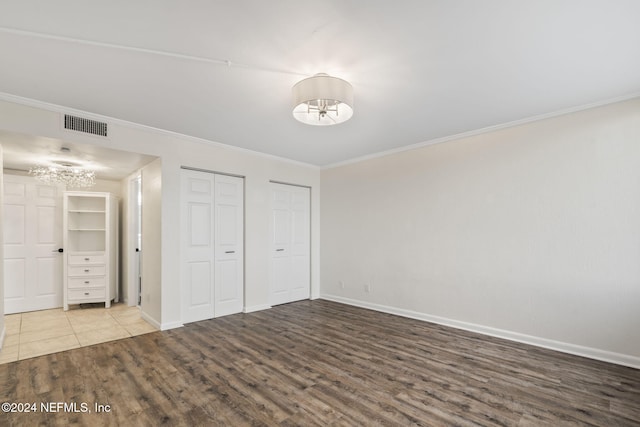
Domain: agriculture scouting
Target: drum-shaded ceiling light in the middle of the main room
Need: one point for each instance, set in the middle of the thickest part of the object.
(322, 100)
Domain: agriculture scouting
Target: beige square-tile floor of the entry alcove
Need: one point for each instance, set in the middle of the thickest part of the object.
(50, 331)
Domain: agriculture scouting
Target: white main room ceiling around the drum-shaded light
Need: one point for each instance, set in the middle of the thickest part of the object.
(222, 70)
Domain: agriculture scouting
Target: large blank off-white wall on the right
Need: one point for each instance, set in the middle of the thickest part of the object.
(530, 233)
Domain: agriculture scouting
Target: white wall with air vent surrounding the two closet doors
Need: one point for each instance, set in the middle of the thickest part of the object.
(176, 151)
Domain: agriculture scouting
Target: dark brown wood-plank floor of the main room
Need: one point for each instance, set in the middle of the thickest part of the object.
(321, 363)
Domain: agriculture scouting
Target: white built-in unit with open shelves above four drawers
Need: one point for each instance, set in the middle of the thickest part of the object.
(90, 248)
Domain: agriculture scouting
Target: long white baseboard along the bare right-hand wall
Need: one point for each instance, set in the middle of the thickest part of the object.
(592, 353)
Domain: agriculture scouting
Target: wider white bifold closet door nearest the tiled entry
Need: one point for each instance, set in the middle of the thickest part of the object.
(212, 267)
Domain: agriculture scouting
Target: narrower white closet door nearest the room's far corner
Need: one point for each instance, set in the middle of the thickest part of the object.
(290, 243)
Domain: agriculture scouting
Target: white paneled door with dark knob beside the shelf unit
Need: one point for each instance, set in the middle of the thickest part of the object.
(32, 237)
